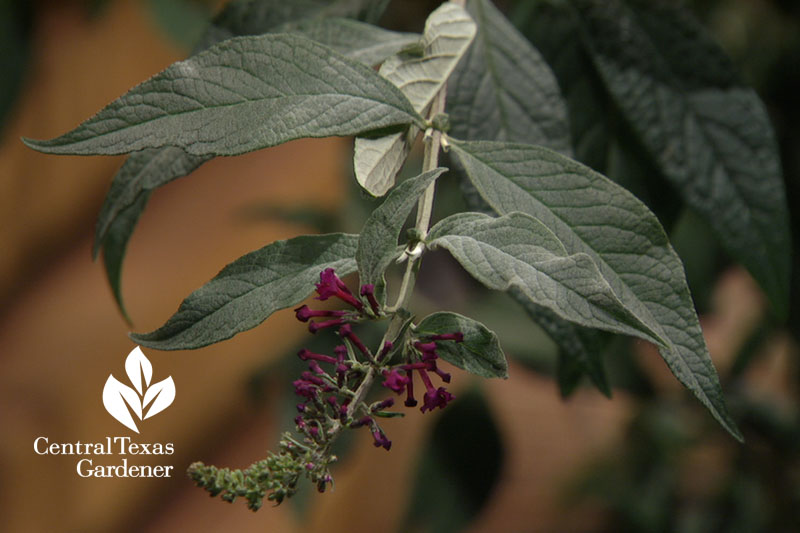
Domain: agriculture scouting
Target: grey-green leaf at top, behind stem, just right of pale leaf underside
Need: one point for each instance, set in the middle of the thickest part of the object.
(503, 90)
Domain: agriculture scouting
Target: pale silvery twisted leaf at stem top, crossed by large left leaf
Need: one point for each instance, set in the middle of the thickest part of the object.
(448, 33)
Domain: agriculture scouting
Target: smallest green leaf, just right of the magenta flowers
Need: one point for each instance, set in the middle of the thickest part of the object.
(479, 352)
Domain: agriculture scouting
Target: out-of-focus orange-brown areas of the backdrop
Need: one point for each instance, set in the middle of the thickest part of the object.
(61, 333)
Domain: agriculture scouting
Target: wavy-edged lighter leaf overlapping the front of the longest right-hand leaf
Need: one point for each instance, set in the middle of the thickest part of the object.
(517, 251)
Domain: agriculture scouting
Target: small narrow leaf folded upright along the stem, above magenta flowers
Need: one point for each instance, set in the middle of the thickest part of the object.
(377, 245)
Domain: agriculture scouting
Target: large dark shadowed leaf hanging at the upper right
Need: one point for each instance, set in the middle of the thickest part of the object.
(709, 134)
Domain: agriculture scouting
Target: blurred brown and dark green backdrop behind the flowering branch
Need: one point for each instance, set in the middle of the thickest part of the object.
(506, 456)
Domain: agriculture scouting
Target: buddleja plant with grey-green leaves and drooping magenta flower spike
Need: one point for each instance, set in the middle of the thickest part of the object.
(577, 250)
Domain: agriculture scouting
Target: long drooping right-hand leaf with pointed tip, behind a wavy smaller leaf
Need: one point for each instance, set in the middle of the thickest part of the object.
(590, 214)
